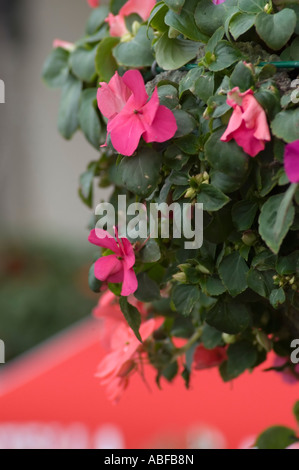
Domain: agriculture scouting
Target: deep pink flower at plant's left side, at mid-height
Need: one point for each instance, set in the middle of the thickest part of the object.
(116, 268)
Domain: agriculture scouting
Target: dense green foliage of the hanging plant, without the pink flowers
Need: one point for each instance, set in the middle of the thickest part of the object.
(241, 287)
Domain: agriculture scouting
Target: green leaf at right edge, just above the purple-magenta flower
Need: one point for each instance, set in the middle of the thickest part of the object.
(286, 125)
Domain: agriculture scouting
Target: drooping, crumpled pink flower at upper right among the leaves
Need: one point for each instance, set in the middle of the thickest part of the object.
(248, 123)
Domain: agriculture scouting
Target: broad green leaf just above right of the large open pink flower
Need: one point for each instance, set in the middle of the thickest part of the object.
(172, 54)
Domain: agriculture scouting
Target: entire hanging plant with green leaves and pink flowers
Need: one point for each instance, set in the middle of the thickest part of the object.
(191, 105)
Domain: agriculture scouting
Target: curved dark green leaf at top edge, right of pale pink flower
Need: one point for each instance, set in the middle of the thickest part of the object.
(184, 22)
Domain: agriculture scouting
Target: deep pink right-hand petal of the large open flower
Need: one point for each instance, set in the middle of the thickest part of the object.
(163, 127)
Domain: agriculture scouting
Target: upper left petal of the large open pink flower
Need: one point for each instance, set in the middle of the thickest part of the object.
(112, 97)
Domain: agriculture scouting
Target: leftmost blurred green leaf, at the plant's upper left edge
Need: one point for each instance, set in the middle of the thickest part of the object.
(56, 68)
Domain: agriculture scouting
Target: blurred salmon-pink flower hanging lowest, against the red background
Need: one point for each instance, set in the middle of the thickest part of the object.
(117, 366)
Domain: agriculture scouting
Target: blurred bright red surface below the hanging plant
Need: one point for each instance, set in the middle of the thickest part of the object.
(56, 383)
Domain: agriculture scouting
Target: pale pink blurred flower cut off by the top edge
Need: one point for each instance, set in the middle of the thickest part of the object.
(117, 23)
